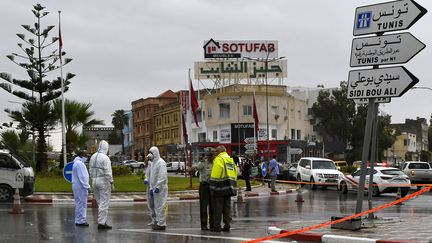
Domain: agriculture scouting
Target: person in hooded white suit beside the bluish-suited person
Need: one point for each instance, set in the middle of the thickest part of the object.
(103, 182)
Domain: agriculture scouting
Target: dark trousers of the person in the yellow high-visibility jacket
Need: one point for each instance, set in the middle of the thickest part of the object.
(221, 208)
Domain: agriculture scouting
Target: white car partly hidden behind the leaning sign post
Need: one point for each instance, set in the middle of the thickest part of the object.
(385, 180)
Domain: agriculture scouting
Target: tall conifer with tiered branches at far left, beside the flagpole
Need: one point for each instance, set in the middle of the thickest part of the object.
(37, 90)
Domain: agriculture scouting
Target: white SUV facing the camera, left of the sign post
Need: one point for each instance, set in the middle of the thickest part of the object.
(318, 171)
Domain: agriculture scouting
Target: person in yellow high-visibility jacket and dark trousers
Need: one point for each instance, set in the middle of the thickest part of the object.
(223, 180)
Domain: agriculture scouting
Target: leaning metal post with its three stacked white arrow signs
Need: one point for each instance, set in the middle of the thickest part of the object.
(381, 50)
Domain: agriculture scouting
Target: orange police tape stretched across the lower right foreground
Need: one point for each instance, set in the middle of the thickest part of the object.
(289, 233)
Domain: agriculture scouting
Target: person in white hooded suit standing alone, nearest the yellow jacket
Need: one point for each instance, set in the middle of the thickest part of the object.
(158, 189)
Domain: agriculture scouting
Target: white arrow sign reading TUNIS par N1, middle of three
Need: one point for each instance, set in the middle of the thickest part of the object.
(386, 49)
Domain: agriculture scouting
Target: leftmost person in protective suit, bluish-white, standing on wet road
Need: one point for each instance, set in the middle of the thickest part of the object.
(80, 188)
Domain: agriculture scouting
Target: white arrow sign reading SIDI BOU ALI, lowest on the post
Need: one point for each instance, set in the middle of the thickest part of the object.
(384, 82)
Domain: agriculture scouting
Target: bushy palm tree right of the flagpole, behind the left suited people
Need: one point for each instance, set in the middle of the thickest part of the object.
(76, 115)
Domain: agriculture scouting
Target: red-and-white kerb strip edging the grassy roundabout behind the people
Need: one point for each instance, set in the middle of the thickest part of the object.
(139, 197)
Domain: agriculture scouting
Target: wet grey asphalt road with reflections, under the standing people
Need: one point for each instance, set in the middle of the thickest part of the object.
(55, 223)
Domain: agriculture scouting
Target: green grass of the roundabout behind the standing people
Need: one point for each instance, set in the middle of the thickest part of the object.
(128, 183)
